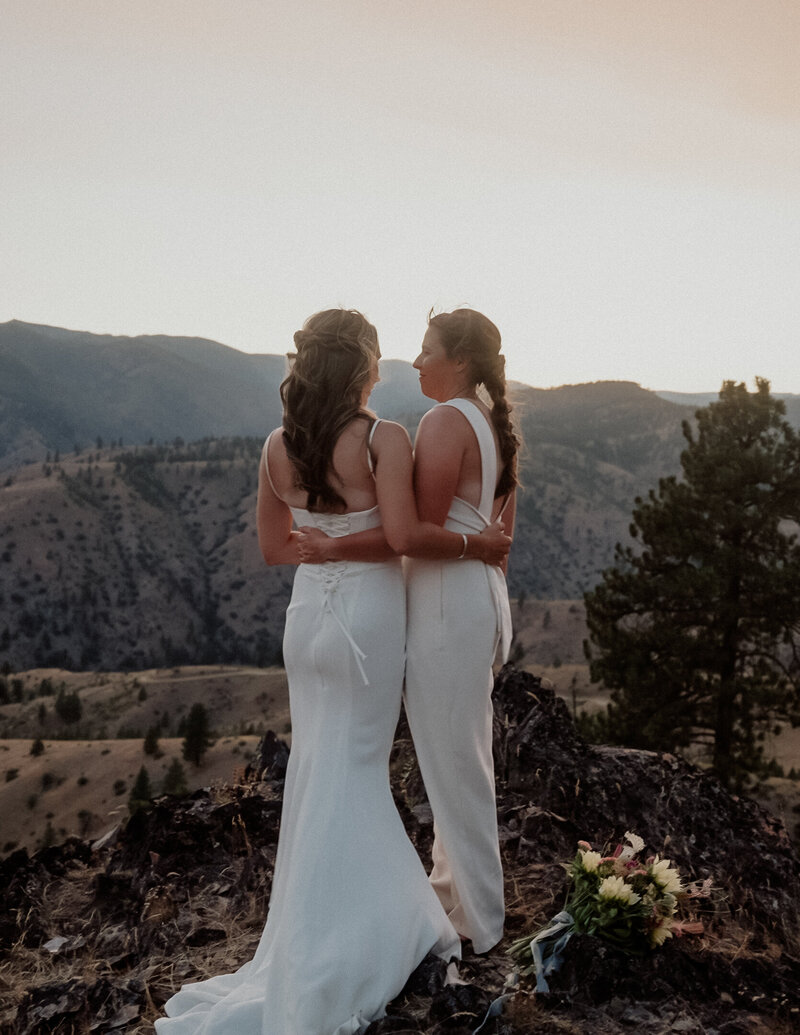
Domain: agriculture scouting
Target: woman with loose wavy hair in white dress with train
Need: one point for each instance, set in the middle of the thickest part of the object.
(351, 911)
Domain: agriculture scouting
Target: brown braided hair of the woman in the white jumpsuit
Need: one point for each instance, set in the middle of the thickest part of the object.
(469, 336)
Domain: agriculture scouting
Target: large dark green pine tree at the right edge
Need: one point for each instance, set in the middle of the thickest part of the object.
(697, 629)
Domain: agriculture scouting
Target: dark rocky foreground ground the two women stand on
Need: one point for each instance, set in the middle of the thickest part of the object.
(96, 937)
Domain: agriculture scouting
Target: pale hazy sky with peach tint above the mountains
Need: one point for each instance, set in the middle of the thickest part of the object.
(615, 183)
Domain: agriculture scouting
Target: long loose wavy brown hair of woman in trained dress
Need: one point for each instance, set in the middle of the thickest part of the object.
(322, 395)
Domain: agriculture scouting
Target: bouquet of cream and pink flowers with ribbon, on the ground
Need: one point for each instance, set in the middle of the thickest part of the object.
(616, 897)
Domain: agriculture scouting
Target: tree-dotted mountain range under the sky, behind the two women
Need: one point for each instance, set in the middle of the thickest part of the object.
(129, 480)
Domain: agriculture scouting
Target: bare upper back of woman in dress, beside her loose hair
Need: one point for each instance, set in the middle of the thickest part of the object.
(351, 476)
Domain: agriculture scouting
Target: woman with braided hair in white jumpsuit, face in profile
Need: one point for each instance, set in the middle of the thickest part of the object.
(459, 615)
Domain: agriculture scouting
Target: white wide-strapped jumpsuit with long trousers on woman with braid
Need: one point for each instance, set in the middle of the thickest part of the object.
(458, 615)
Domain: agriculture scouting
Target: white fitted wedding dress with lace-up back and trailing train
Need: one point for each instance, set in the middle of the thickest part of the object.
(351, 912)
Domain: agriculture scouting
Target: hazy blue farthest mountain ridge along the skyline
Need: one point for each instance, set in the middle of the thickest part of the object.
(62, 389)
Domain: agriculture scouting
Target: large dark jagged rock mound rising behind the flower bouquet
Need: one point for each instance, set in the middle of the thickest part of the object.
(567, 790)
